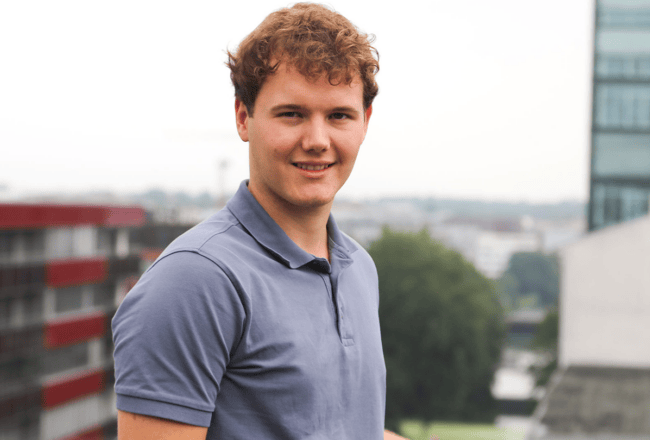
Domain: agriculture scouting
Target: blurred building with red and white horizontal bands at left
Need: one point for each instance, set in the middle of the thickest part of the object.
(63, 271)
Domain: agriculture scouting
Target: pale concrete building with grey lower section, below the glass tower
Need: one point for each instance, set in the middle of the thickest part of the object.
(602, 386)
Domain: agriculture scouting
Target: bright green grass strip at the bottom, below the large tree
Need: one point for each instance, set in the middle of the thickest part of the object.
(414, 430)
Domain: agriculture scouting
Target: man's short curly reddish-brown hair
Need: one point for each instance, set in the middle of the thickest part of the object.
(311, 38)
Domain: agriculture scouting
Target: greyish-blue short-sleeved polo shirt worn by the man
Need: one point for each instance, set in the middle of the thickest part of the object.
(236, 328)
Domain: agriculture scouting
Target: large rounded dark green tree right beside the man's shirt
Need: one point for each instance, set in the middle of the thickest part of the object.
(442, 331)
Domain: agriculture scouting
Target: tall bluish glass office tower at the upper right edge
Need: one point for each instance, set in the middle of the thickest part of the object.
(620, 141)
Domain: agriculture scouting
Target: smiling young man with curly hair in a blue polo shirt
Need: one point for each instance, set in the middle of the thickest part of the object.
(261, 322)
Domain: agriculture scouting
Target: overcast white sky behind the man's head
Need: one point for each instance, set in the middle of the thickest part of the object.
(478, 99)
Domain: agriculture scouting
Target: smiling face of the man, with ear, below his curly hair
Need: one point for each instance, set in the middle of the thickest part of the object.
(303, 137)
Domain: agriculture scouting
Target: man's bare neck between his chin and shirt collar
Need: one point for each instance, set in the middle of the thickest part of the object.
(306, 226)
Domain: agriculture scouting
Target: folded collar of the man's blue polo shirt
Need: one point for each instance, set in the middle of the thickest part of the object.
(271, 236)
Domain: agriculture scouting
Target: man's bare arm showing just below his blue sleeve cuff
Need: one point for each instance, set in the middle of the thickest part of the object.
(138, 427)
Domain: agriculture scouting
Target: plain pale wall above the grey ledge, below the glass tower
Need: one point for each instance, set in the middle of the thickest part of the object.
(606, 298)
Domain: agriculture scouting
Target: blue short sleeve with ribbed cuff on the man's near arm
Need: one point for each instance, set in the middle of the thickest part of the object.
(174, 334)
